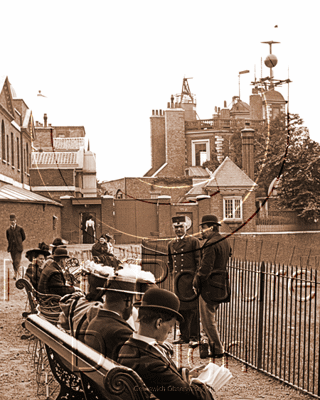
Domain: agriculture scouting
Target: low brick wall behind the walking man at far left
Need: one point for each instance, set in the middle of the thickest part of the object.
(36, 220)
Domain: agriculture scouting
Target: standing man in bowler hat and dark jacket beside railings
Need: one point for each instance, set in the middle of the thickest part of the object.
(211, 280)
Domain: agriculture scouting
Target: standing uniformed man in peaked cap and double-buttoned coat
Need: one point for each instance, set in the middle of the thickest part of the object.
(184, 258)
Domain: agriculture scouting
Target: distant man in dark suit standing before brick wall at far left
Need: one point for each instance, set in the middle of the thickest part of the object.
(15, 237)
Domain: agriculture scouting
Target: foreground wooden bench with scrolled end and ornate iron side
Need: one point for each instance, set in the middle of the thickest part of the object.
(83, 373)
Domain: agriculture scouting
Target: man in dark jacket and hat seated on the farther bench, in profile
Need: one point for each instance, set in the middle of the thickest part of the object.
(52, 280)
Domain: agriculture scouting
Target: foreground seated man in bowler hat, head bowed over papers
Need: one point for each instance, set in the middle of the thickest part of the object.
(143, 352)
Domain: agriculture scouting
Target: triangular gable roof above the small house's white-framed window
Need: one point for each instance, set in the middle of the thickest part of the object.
(228, 174)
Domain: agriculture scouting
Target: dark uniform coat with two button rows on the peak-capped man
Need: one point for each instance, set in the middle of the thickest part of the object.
(184, 255)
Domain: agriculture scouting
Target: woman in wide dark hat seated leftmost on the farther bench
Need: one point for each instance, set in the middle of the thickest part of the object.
(37, 257)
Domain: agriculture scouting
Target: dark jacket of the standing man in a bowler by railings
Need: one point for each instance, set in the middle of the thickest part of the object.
(212, 274)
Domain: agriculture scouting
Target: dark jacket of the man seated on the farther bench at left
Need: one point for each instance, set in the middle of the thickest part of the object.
(52, 280)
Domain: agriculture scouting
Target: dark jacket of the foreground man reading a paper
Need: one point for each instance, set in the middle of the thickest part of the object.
(158, 373)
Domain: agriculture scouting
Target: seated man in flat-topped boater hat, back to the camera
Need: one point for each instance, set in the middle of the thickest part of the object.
(108, 331)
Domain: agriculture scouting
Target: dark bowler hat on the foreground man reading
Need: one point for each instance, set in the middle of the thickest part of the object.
(161, 300)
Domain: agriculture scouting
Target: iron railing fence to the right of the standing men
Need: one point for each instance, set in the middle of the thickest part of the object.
(272, 321)
